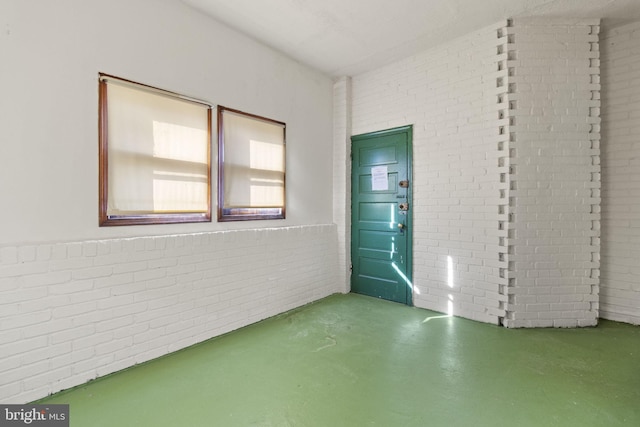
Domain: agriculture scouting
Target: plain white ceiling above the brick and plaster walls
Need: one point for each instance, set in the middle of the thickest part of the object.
(348, 37)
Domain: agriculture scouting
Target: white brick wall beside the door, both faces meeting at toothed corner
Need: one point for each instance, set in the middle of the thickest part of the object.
(506, 159)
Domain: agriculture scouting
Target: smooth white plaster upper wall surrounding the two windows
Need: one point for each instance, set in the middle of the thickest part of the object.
(52, 53)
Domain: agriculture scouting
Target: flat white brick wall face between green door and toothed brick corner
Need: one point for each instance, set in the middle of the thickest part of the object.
(449, 95)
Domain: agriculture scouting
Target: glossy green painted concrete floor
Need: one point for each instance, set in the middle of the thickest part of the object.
(351, 360)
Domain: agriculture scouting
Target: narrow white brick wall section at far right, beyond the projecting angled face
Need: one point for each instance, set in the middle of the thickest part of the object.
(620, 287)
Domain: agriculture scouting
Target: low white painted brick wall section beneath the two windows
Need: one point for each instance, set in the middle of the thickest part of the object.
(70, 312)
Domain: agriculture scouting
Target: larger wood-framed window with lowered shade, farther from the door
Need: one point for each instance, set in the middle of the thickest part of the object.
(154, 155)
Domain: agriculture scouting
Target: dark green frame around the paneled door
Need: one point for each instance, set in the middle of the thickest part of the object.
(408, 129)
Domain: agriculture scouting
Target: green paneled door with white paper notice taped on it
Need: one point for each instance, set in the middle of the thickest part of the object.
(381, 214)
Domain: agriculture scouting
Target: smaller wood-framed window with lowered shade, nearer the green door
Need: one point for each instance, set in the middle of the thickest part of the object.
(251, 167)
